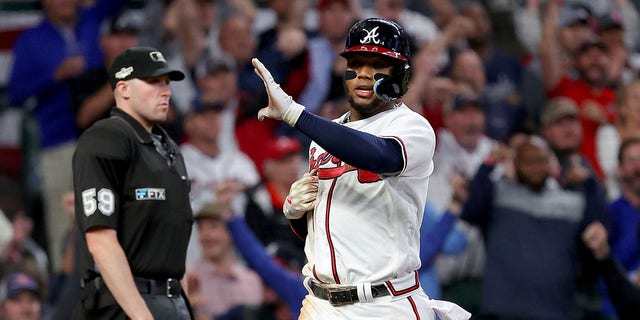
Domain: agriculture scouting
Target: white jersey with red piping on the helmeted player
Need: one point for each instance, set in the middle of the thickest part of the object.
(365, 227)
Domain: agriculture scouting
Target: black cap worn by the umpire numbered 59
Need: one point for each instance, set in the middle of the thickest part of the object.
(141, 62)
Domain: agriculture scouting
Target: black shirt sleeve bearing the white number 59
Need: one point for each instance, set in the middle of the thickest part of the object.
(99, 167)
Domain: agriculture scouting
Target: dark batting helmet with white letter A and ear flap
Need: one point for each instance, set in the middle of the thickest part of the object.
(387, 38)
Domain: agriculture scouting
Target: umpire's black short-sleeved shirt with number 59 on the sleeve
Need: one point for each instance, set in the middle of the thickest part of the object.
(136, 183)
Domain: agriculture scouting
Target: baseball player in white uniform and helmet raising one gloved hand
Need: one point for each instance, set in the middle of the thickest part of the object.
(363, 197)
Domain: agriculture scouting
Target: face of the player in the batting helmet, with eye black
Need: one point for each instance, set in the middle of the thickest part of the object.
(360, 89)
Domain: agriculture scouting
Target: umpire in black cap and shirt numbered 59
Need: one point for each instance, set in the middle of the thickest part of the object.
(132, 199)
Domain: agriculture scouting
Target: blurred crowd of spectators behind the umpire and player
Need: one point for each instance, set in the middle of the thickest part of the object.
(536, 106)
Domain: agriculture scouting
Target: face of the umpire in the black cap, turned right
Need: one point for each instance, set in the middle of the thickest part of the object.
(149, 99)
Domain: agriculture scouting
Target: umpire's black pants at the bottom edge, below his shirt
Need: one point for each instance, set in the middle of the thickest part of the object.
(98, 303)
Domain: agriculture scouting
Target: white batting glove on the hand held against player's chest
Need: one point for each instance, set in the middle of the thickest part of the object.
(302, 196)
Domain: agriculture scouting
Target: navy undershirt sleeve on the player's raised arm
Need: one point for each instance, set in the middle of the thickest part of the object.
(359, 149)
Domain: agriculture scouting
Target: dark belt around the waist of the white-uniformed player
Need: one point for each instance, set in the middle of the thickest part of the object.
(339, 296)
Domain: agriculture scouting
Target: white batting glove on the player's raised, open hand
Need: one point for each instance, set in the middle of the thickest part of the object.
(281, 105)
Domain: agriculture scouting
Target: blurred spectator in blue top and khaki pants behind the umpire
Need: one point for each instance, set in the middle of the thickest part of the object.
(46, 58)
